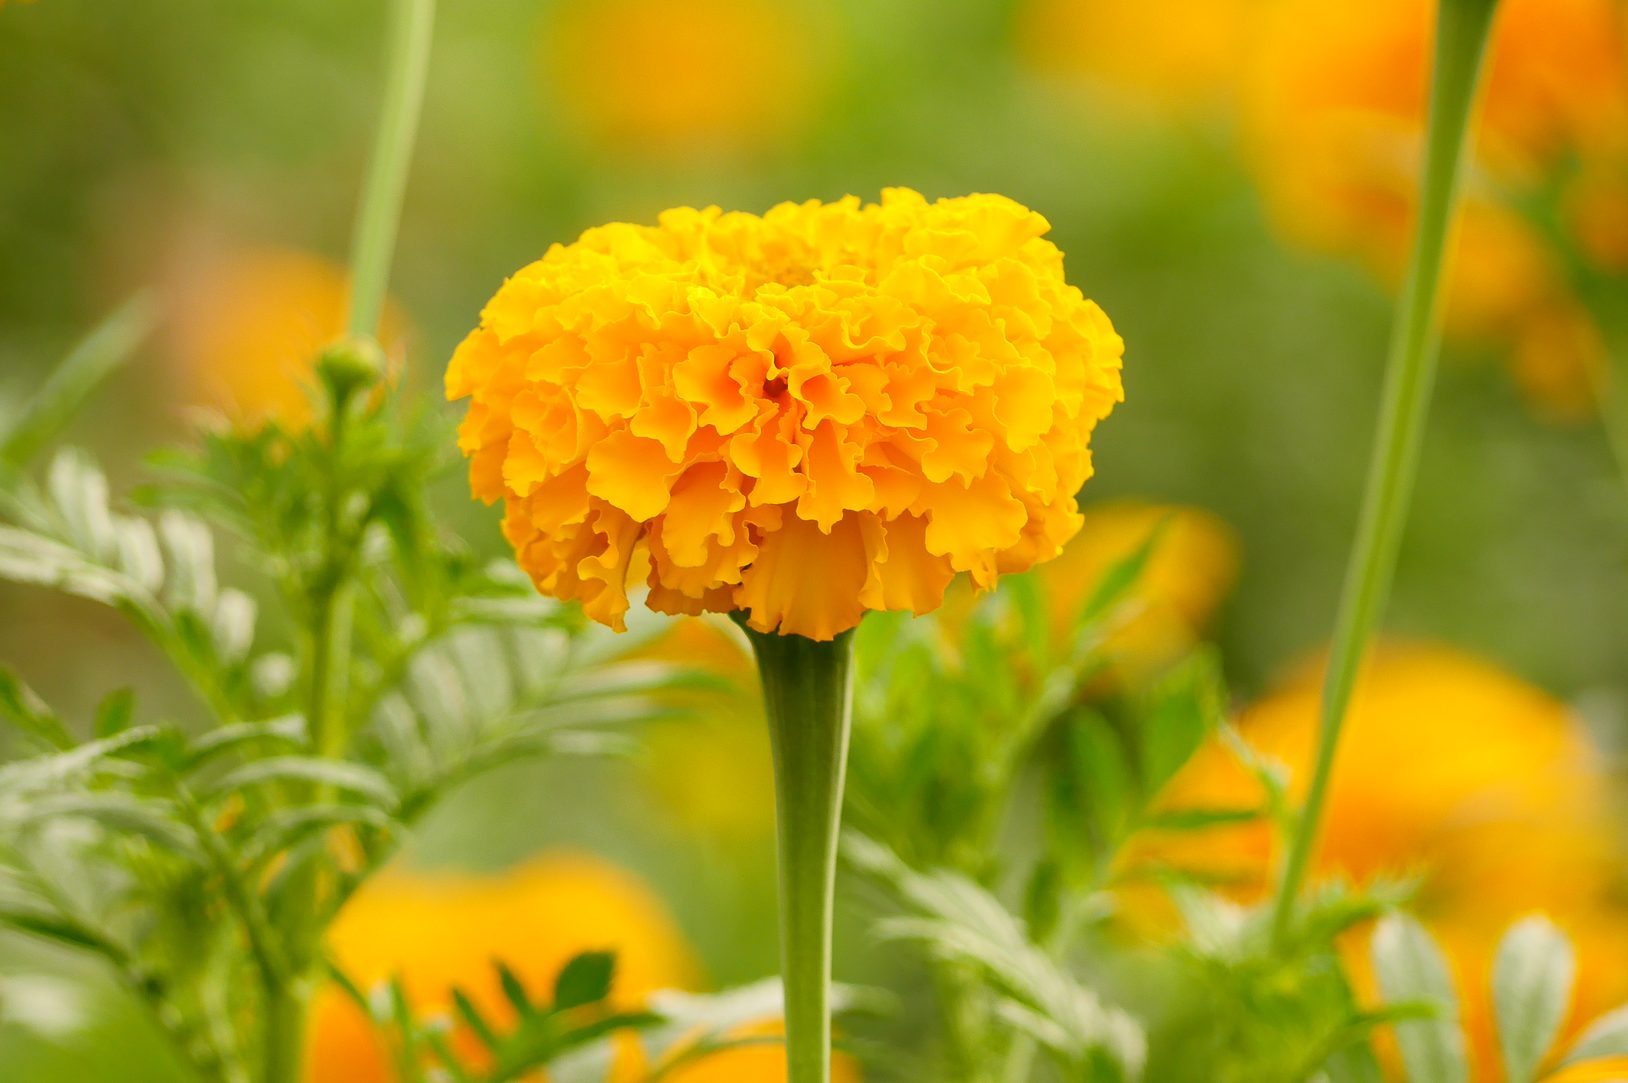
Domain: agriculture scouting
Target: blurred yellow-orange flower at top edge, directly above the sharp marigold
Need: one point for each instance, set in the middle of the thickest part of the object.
(662, 76)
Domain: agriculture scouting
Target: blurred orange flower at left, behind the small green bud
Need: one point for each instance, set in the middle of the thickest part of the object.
(247, 328)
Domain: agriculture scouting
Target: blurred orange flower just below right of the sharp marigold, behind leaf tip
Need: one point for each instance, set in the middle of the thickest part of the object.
(1186, 579)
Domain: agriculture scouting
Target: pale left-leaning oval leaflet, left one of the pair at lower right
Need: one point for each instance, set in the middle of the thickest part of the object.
(1411, 968)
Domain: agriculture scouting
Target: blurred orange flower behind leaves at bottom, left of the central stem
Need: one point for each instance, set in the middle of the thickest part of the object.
(444, 931)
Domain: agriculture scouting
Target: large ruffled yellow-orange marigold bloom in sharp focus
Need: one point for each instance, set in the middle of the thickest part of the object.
(803, 416)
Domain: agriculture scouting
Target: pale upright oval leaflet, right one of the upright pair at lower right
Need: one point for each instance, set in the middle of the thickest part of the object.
(1531, 993)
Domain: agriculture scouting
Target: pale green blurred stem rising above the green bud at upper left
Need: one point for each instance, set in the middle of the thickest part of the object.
(382, 196)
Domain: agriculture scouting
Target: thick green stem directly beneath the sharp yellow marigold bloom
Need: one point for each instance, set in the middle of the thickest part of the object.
(808, 696)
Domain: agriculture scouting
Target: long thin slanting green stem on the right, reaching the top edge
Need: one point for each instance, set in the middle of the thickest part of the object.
(1461, 46)
